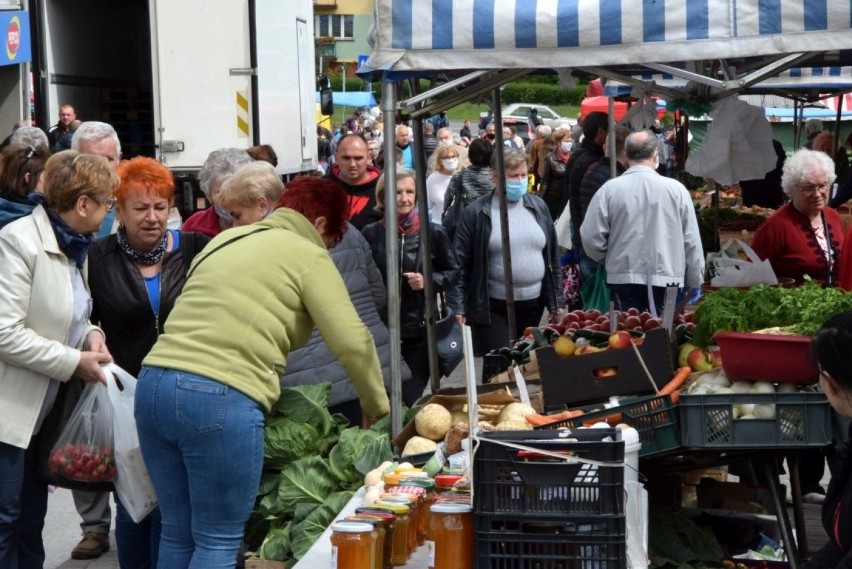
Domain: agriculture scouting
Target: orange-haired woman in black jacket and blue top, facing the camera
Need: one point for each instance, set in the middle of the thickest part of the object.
(135, 276)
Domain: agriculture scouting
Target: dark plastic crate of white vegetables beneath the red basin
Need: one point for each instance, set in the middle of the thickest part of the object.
(801, 419)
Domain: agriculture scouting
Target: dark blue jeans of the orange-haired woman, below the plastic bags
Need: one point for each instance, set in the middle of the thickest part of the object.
(137, 544)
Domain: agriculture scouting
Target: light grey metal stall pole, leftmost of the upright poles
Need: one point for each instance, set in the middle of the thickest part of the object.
(392, 246)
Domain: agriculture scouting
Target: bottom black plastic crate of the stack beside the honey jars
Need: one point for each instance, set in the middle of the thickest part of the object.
(517, 542)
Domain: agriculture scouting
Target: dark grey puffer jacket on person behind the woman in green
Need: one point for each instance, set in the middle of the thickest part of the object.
(314, 363)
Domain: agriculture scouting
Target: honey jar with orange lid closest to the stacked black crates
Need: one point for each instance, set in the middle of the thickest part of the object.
(451, 537)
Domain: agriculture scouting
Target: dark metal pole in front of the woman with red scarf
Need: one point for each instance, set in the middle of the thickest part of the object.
(426, 255)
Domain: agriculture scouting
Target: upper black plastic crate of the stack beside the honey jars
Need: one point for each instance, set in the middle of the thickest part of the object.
(512, 481)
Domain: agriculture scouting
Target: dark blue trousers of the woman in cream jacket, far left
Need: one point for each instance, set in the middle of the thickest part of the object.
(23, 506)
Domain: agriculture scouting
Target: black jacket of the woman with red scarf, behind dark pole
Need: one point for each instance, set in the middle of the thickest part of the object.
(445, 272)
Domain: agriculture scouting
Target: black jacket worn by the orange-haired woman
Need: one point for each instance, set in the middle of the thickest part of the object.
(120, 304)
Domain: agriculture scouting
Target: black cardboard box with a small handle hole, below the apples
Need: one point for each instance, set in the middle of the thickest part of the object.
(573, 381)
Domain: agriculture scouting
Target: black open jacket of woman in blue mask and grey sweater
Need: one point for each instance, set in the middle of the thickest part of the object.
(471, 245)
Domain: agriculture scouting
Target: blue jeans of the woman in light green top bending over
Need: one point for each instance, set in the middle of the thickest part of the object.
(203, 445)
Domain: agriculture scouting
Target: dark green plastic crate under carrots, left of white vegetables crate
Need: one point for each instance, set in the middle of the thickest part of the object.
(654, 418)
